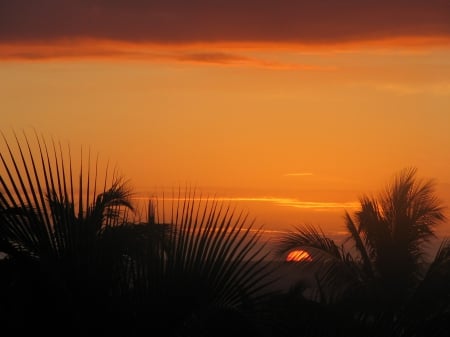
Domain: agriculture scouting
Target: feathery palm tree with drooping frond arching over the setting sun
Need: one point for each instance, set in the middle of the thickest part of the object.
(384, 260)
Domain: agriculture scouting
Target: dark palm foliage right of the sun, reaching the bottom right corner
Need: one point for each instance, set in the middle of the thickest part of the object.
(381, 274)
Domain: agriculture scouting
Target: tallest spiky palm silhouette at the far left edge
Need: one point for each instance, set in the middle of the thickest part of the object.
(58, 238)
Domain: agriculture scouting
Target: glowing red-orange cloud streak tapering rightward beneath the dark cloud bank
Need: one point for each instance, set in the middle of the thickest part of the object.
(117, 51)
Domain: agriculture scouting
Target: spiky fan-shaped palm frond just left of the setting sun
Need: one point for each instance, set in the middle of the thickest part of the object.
(213, 260)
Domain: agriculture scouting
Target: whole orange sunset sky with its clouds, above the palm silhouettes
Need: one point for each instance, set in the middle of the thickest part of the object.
(291, 110)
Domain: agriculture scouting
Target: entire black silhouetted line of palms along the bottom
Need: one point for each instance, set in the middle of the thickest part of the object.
(77, 262)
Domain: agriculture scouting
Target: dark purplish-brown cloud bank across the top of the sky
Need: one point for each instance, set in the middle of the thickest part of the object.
(186, 21)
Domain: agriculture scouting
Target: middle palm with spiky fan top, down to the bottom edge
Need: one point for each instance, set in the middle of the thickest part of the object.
(208, 276)
